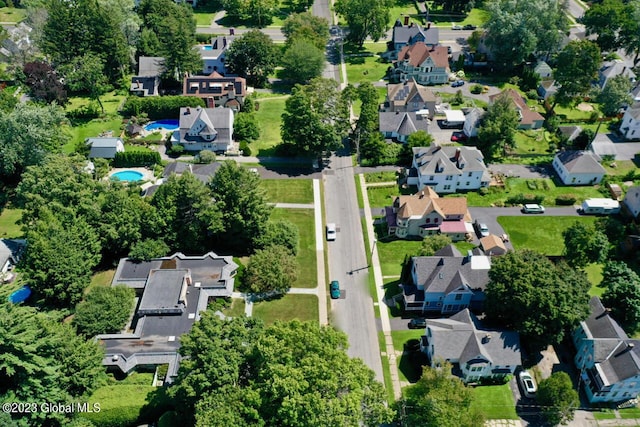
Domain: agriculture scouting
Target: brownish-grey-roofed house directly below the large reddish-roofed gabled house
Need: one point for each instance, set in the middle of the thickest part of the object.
(409, 97)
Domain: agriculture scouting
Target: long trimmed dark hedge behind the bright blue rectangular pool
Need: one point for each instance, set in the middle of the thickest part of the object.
(159, 107)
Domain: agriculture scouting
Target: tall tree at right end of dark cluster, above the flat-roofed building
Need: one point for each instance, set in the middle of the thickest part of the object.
(242, 201)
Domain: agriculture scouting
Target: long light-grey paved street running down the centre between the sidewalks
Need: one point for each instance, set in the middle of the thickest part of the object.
(353, 312)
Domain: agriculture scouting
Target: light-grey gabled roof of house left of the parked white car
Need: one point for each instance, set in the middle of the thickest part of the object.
(462, 337)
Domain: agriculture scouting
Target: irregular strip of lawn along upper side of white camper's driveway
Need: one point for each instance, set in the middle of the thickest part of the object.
(545, 187)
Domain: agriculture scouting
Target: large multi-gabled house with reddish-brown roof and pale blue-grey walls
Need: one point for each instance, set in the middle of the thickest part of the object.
(427, 65)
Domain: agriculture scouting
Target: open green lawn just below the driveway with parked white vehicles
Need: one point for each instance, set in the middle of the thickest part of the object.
(540, 233)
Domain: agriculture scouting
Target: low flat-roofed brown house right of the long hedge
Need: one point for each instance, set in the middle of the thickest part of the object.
(216, 90)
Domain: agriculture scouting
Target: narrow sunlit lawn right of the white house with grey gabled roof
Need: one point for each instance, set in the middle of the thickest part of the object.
(269, 116)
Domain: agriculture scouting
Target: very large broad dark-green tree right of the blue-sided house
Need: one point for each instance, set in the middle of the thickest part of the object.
(555, 298)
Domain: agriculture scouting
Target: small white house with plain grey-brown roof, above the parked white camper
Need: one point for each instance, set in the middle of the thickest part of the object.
(578, 167)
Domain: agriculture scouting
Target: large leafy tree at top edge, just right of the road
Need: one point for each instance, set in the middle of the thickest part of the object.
(364, 18)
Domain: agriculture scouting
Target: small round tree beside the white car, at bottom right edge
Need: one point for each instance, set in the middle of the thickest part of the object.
(558, 398)
